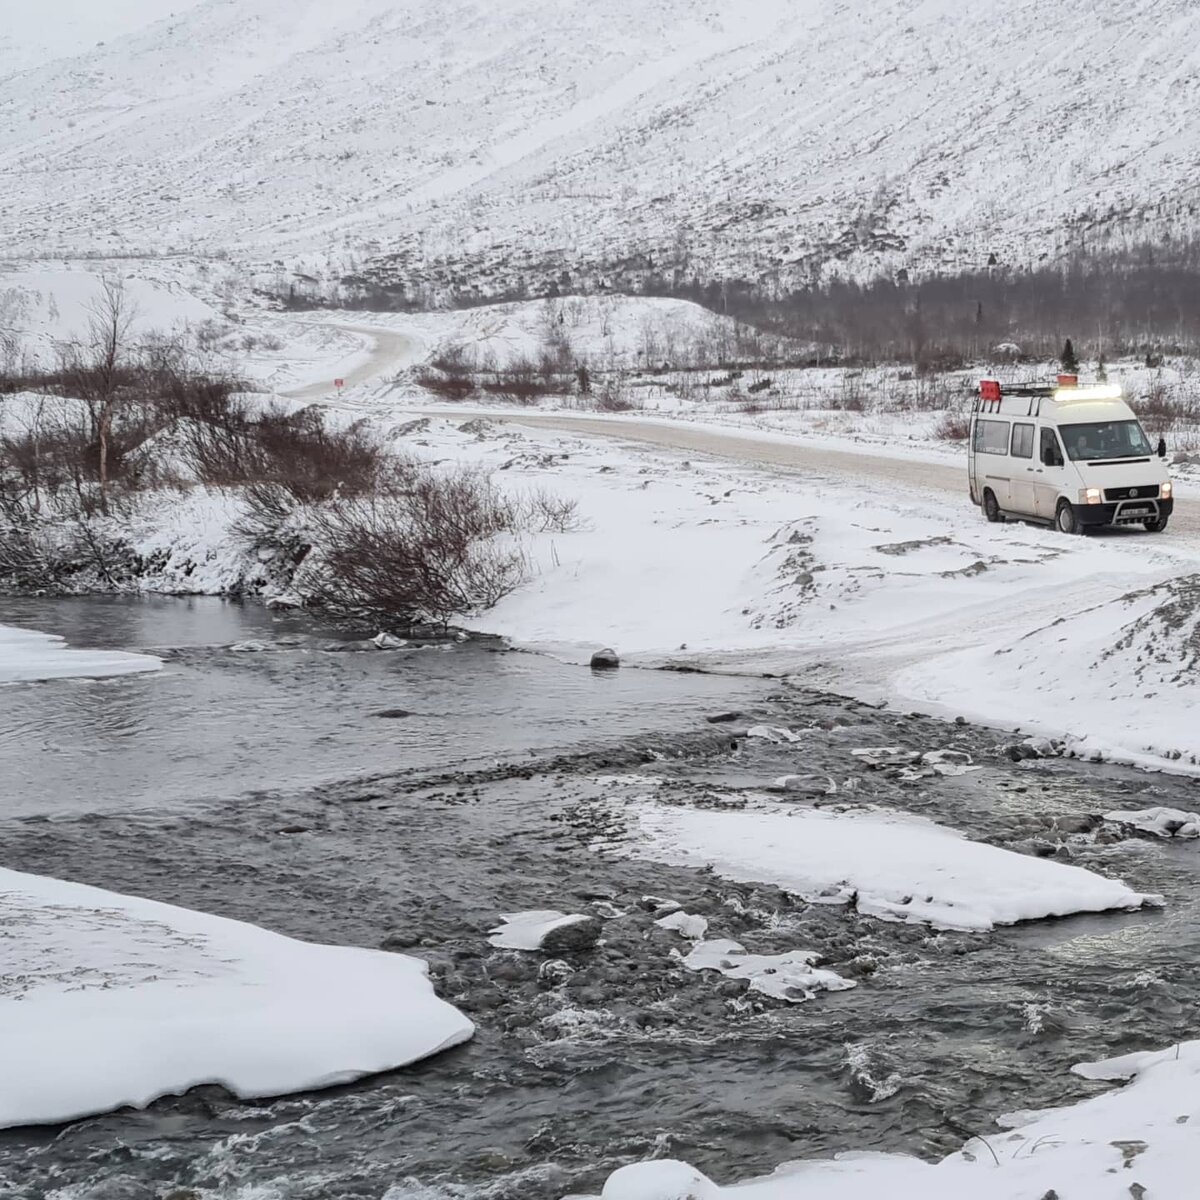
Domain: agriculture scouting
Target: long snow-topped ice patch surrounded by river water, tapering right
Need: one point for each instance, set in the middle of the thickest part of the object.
(892, 866)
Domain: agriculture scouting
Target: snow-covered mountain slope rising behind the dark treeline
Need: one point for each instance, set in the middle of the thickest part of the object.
(475, 141)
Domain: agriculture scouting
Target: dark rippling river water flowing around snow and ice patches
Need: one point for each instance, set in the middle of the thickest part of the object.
(259, 784)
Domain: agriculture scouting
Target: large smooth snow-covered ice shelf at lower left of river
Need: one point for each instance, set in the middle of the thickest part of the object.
(107, 1000)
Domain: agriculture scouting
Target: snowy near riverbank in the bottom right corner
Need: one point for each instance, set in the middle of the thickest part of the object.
(1138, 1141)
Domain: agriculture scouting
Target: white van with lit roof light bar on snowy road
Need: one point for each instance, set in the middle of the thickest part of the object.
(1070, 457)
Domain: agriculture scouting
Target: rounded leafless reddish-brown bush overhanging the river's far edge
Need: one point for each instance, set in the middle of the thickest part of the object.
(430, 553)
